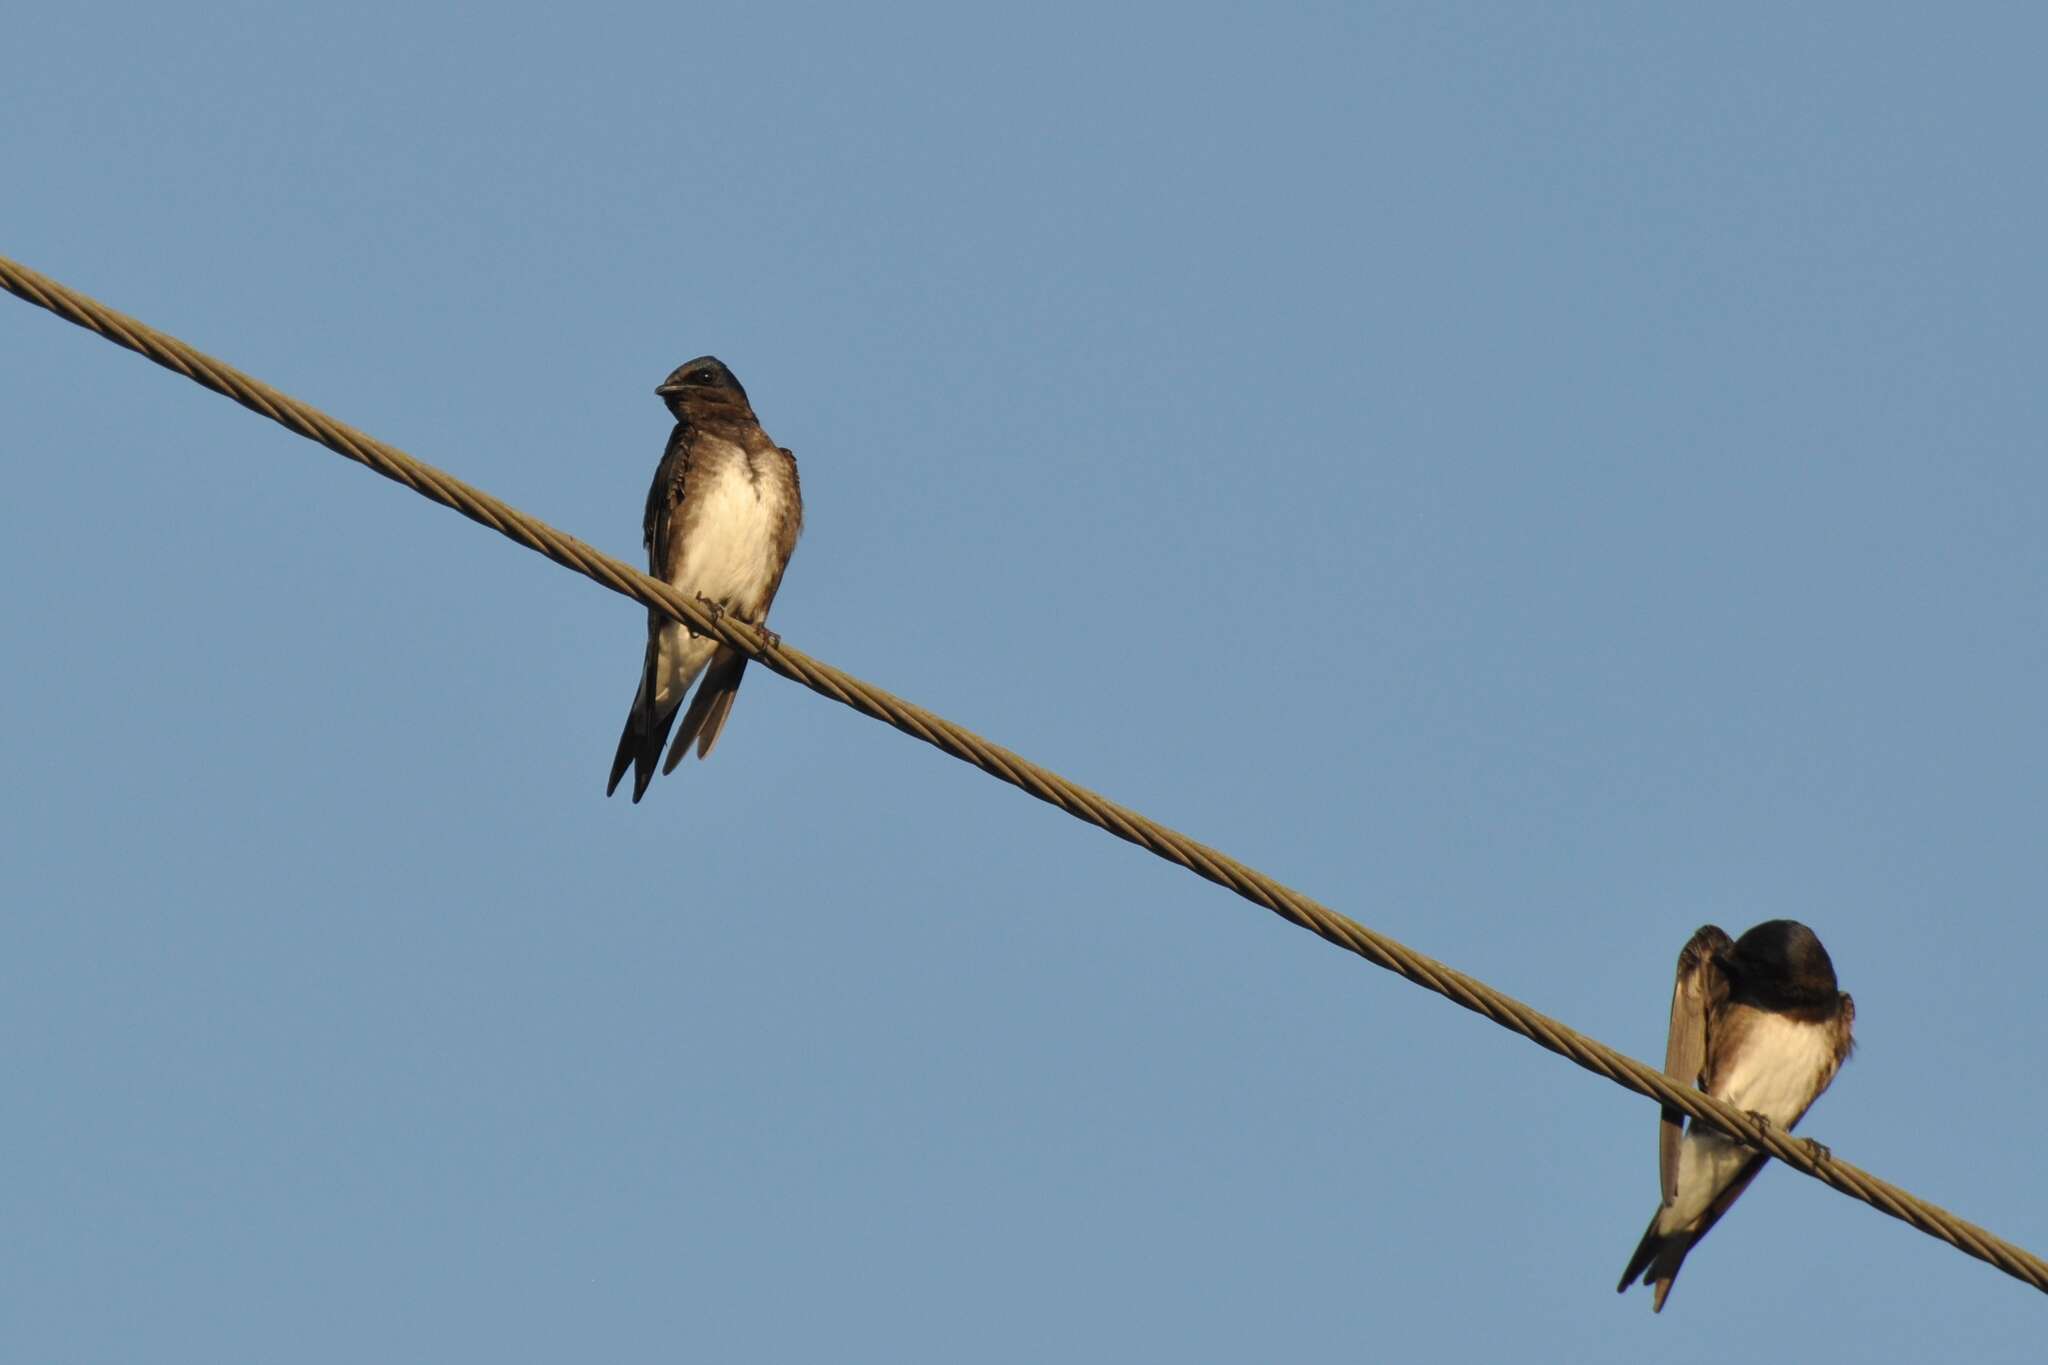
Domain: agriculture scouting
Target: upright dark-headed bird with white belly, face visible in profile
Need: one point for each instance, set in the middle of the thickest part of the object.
(724, 517)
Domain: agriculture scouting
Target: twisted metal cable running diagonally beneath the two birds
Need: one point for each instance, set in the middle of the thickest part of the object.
(1007, 766)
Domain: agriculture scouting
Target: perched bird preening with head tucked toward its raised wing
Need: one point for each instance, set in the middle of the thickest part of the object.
(1758, 1024)
